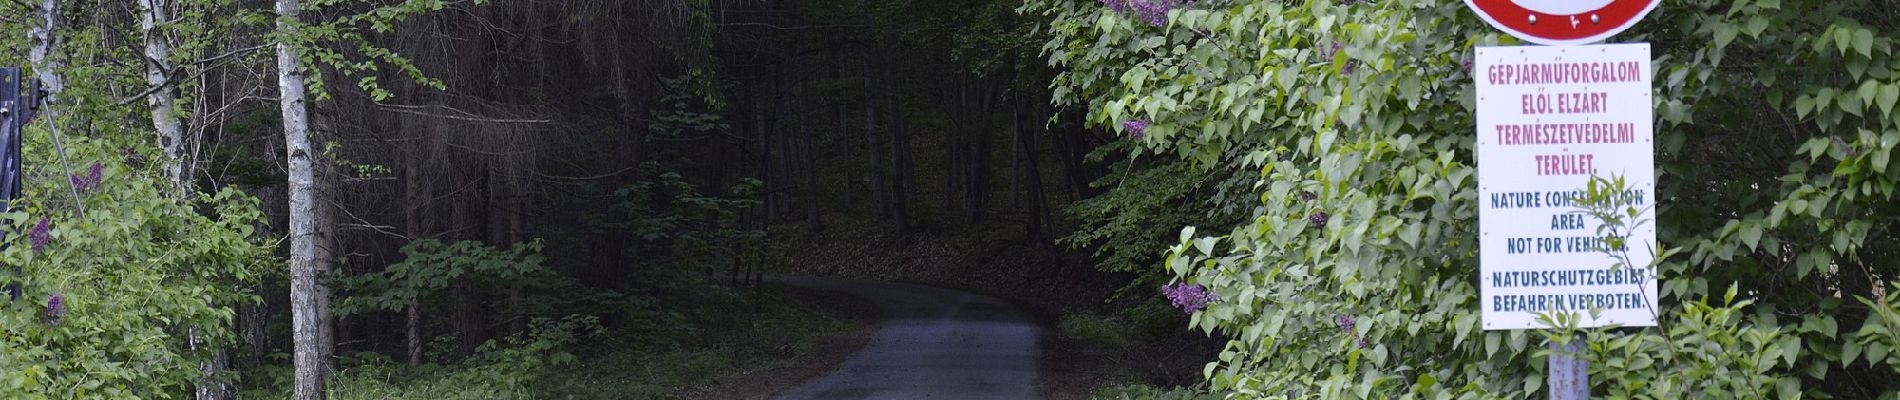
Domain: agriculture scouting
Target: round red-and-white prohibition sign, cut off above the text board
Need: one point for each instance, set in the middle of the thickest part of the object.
(1563, 22)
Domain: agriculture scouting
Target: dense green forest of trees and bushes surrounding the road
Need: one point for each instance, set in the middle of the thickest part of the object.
(1196, 200)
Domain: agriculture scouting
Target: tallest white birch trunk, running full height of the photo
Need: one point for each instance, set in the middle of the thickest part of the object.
(303, 192)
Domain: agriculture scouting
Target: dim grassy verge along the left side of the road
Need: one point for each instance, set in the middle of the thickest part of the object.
(723, 340)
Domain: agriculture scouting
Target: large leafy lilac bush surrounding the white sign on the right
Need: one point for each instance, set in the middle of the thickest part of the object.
(1354, 274)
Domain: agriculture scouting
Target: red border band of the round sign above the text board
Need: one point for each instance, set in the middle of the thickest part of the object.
(1559, 29)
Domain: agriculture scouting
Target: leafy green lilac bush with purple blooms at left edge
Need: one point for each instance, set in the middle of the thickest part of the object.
(126, 299)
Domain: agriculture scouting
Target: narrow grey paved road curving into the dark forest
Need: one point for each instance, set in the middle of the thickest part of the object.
(932, 344)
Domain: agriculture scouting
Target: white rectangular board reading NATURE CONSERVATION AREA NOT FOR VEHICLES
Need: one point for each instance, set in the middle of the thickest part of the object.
(1549, 120)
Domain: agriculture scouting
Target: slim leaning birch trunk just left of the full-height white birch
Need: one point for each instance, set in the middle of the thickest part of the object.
(164, 96)
